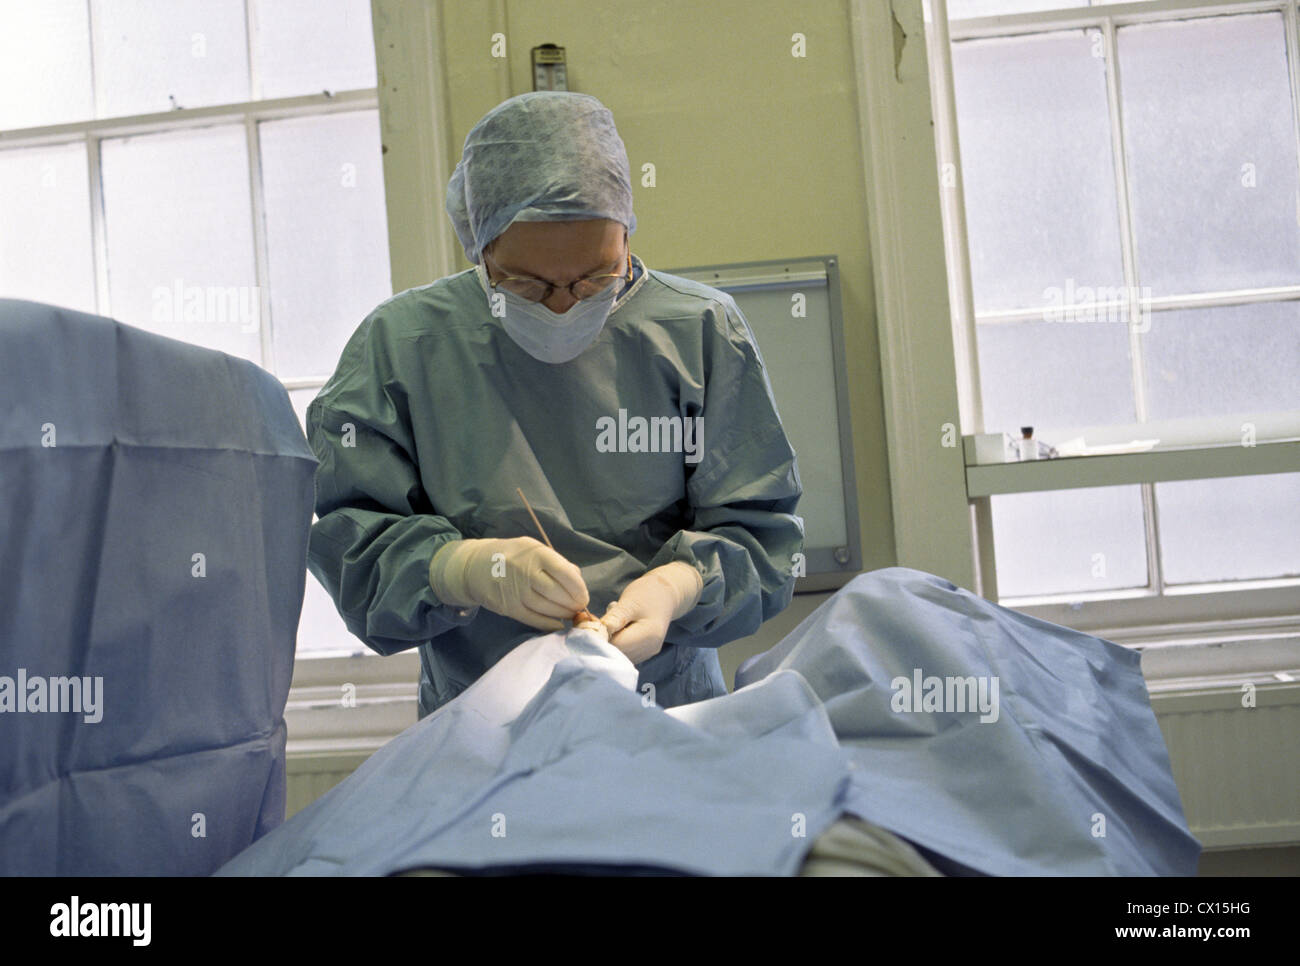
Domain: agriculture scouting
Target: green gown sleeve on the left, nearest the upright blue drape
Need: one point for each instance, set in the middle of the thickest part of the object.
(378, 531)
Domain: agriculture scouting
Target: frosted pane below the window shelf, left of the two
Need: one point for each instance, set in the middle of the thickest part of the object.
(1069, 542)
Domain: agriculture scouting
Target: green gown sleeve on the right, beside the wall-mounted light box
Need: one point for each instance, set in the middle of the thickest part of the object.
(743, 492)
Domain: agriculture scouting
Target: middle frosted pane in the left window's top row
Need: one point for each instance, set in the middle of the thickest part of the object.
(154, 57)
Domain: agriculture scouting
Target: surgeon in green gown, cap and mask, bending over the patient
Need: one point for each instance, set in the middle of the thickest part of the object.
(631, 408)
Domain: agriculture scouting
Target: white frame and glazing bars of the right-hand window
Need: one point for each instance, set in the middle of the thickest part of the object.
(1204, 447)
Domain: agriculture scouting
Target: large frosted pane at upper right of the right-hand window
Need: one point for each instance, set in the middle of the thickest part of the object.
(1212, 154)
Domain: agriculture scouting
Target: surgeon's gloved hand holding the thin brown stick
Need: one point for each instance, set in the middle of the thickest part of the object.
(519, 578)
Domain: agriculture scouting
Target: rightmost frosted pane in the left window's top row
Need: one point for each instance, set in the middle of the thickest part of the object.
(311, 46)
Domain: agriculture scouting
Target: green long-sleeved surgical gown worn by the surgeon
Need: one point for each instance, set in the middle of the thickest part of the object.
(435, 417)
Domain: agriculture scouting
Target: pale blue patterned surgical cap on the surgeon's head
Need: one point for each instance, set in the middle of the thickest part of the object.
(541, 157)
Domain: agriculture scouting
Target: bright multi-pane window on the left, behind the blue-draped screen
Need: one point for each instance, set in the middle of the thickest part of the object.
(205, 170)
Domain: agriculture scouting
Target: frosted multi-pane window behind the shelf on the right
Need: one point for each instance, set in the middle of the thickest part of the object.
(1132, 206)
